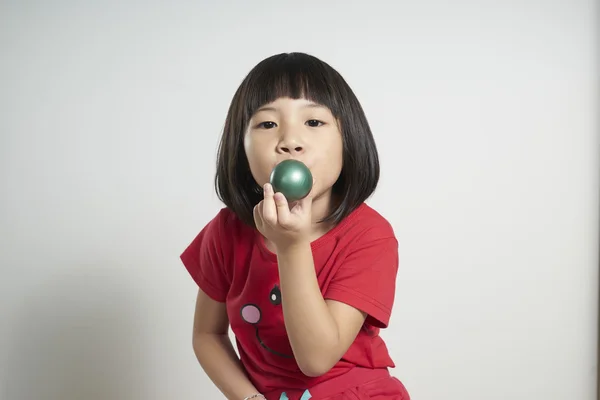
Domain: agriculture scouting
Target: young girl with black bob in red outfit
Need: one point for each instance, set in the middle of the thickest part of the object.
(305, 286)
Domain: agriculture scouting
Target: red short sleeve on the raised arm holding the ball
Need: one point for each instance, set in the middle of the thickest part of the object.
(367, 280)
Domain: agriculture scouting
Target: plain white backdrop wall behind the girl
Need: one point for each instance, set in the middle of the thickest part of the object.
(486, 118)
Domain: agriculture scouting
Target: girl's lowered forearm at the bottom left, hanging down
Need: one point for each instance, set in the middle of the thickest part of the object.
(217, 357)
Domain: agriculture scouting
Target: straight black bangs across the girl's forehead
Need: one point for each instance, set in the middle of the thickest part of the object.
(293, 75)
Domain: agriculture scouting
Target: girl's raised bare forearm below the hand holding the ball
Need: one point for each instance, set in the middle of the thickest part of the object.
(311, 329)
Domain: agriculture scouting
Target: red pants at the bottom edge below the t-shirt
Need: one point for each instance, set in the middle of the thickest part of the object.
(358, 384)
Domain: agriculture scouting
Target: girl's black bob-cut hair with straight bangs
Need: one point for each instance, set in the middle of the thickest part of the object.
(296, 75)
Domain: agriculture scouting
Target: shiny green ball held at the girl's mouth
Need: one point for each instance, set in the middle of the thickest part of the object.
(292, 178)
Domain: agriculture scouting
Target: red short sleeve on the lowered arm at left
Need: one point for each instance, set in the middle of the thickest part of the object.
(204, 259)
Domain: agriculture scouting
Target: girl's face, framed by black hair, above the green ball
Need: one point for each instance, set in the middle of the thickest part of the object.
(297, 129)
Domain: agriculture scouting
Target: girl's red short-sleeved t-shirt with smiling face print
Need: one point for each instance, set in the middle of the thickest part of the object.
(356, 263)
